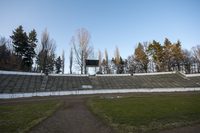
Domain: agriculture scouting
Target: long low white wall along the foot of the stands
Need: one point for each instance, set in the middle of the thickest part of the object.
(86, 92)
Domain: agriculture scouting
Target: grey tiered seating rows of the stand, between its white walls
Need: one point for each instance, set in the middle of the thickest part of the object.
(19, 83)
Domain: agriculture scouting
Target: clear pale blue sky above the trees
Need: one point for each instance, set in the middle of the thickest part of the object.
(111, 23)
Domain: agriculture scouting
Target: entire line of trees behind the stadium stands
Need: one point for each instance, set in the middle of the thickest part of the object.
(23, 52)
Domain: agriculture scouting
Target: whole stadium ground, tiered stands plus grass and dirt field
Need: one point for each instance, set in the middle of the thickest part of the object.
(71, 95)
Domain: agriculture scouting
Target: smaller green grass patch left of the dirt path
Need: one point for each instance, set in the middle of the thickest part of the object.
(19, 118)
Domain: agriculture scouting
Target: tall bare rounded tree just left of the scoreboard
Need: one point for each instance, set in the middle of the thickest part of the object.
(82, 49)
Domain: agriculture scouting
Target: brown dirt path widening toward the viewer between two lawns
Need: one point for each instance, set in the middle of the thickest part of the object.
(73, 117)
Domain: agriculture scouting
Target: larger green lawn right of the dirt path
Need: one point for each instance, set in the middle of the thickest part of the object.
(148, 113)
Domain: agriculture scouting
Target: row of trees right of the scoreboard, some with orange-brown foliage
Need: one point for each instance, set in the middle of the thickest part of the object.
(154, 57)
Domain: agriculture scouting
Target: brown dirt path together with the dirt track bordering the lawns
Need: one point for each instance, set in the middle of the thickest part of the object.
(74, 116)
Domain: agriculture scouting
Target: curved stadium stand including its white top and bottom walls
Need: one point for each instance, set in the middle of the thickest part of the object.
(22, 84)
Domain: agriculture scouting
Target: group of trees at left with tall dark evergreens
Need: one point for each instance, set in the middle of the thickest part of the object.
(22, 49)
